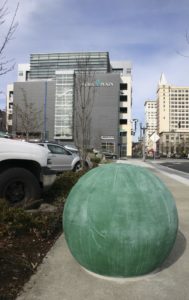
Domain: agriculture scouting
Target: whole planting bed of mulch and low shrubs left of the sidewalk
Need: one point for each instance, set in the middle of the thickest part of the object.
(25, 238)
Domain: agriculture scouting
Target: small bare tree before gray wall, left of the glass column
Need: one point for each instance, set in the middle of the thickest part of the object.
(27, 117)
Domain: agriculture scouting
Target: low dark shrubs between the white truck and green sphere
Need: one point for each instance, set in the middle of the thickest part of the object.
(16, 221)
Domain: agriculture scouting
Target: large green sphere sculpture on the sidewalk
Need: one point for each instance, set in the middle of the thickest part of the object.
(120, 220)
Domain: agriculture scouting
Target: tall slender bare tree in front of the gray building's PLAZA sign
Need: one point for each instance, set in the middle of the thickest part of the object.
(84, 99)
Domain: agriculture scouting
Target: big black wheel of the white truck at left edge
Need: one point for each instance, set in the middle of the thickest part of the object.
(18, 186)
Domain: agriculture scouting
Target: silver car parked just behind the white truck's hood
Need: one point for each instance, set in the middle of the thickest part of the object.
(61, 158)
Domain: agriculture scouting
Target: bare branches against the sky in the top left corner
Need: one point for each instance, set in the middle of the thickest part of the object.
(6, 65)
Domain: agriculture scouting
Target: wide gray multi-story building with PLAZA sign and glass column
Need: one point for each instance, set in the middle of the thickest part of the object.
(50, 82)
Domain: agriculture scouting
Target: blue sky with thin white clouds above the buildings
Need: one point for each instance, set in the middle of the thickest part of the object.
(149, 33)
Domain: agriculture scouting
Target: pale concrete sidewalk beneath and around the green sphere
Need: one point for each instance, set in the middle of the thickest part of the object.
(60, 277)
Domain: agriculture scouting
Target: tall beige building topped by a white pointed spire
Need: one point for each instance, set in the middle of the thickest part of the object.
(172, 117)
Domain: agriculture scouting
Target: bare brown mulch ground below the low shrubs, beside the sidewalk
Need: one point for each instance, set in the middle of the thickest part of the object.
(19, 258)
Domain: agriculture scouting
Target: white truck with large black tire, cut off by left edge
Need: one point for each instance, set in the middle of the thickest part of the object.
(24, 171)
